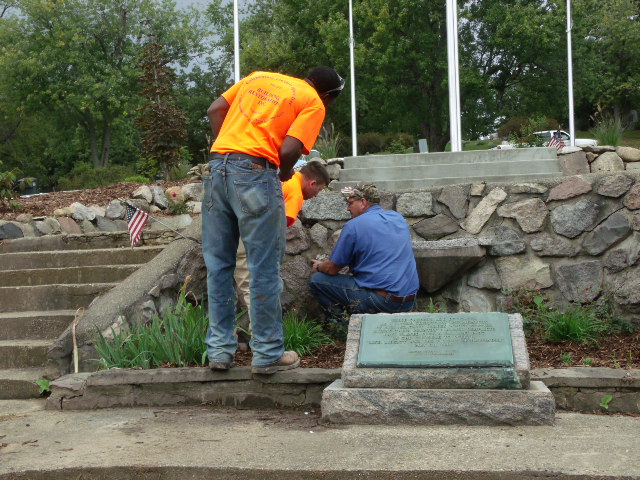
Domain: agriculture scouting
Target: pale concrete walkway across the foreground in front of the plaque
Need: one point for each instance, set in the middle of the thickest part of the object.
(198, 442)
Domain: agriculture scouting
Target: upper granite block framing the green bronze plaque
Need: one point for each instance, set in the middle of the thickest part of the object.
(472, 377)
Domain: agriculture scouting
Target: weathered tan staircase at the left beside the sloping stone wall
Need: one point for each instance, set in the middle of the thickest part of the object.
(43, 281)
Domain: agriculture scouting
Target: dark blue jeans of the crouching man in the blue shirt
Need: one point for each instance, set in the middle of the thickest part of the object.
(340, 294)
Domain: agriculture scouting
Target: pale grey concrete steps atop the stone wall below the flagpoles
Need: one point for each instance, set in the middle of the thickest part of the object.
(397, 173)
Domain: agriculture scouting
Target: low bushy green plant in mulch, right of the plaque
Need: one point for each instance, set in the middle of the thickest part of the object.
(576, 323)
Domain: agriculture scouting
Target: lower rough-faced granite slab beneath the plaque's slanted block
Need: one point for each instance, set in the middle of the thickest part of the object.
(378, 406)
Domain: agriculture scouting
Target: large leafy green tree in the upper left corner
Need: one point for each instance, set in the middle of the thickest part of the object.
(79, 58)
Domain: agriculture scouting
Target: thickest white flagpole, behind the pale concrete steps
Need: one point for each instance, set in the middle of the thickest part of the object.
(454, 77)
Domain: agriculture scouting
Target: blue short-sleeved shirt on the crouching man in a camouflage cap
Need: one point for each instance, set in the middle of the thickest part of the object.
(377, 248)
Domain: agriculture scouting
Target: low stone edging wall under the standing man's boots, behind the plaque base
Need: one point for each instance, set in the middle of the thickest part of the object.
(579, 389)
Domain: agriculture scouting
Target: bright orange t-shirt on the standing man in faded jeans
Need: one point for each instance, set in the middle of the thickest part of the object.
(264, 108)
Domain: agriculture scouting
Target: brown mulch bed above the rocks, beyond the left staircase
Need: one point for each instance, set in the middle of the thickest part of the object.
(46, 203)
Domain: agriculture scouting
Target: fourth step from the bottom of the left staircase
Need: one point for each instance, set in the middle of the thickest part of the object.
(50, 297)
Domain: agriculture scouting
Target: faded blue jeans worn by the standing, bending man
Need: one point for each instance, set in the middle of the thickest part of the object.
(243, 201)
